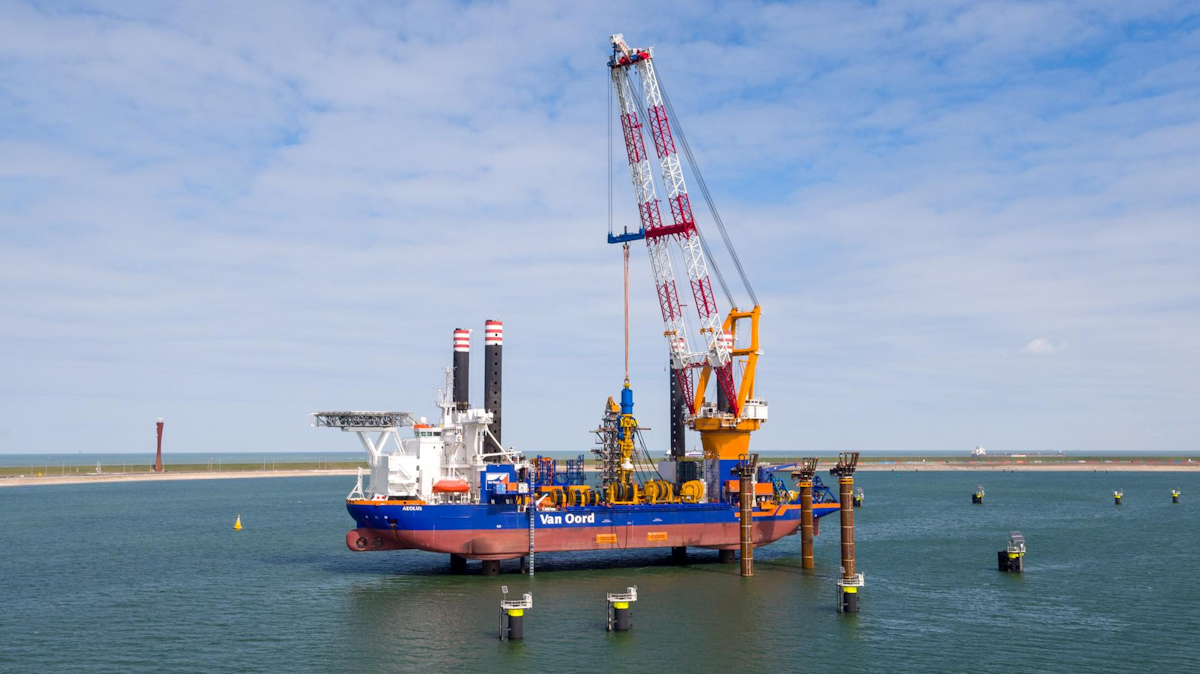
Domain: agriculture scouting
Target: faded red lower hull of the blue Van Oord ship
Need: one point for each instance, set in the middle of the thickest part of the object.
(514, 544)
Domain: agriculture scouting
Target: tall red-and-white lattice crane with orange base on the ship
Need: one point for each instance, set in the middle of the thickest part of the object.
(725, 425)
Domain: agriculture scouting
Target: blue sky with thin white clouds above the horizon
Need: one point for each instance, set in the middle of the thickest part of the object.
(968, 222)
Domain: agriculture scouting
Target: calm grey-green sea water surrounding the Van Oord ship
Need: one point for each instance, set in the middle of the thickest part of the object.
(151, 577)
